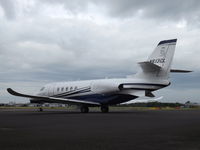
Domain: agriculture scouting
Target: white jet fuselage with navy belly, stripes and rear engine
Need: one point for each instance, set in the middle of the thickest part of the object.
(104, 91)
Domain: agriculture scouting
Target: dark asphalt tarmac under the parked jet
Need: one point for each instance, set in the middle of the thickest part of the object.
(156, 130)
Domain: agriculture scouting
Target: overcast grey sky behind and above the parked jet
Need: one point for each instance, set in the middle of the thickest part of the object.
(44, 41)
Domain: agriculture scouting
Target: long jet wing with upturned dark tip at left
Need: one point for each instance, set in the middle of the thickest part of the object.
(53, 99)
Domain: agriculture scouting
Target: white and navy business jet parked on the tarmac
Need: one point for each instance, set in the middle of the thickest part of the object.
(153, 75)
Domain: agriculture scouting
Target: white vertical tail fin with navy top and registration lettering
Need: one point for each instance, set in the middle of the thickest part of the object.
(158, 65)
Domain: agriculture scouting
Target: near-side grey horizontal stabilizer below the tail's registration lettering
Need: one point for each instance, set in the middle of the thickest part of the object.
(149, 67)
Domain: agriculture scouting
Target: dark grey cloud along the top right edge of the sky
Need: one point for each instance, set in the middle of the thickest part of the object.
(154, 8)
